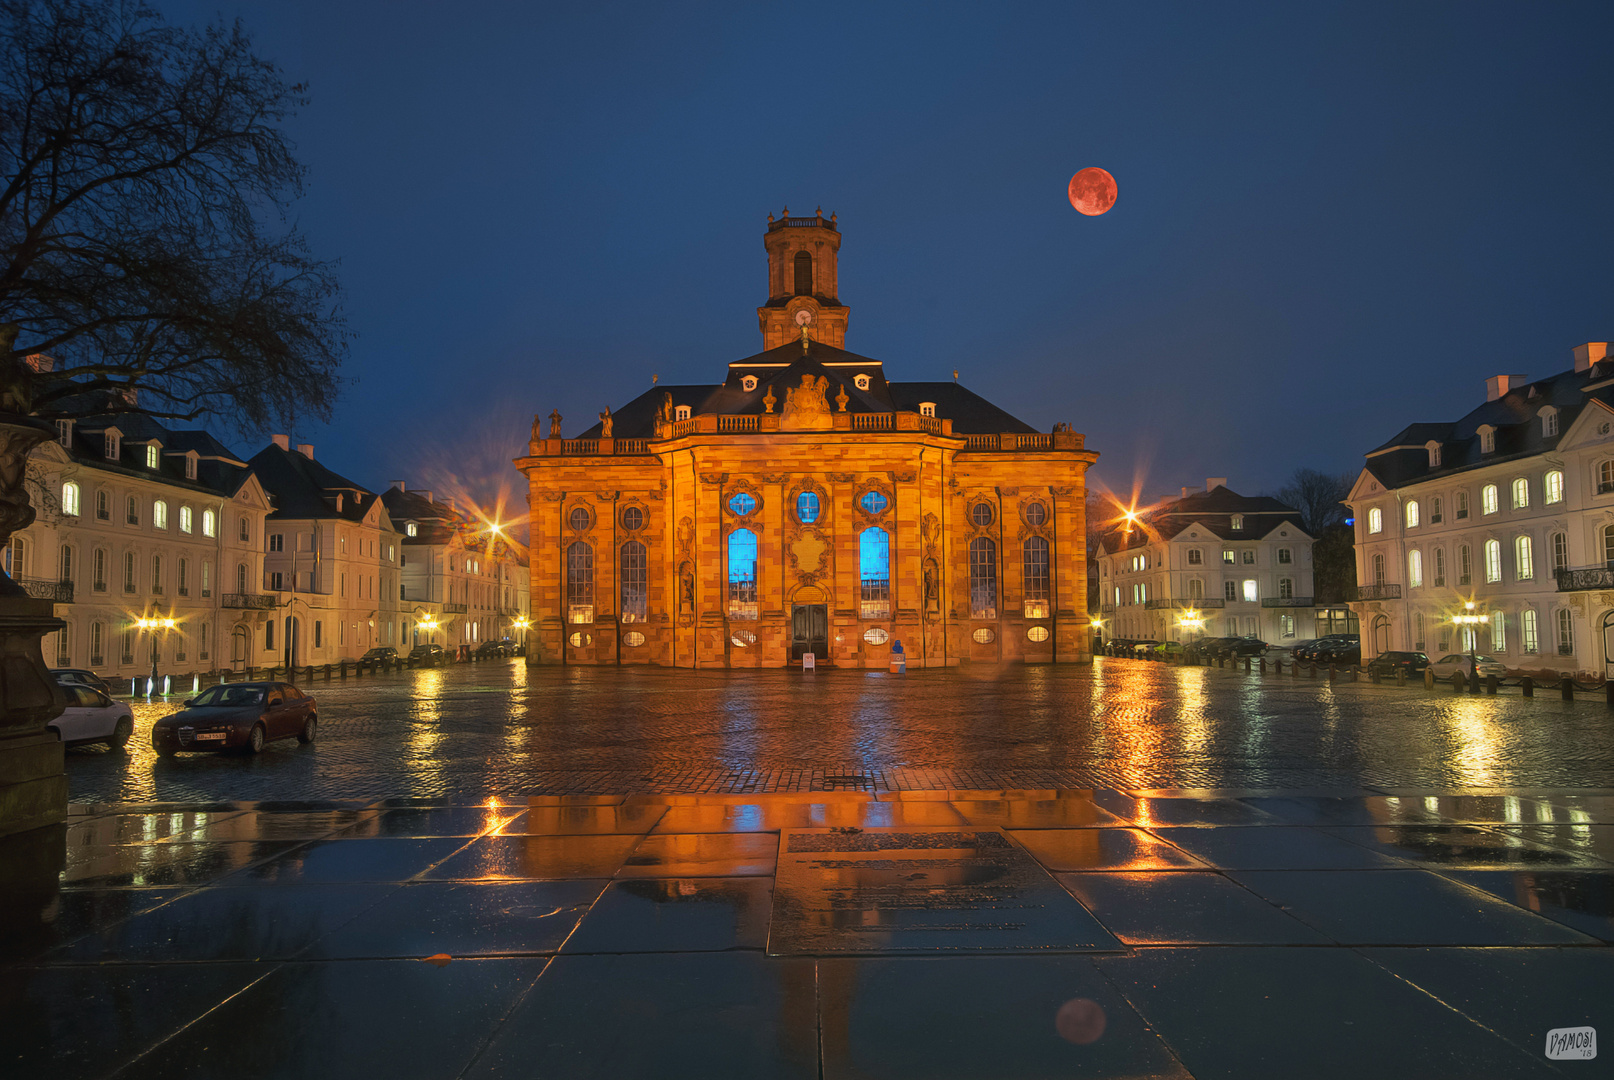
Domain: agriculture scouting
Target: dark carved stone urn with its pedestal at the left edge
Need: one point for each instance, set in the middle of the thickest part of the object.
(33, 784)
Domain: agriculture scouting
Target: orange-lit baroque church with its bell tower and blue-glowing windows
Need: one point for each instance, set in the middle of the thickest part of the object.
(808, 506)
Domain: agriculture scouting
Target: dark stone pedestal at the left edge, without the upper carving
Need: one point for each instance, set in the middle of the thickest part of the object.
(33, 784)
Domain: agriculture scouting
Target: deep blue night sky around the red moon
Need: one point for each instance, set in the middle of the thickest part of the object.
(1334, 219)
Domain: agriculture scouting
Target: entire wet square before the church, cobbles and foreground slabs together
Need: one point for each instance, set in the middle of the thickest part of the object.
(1131, 871)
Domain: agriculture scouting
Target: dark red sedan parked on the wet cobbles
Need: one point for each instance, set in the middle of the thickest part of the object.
(238, 718)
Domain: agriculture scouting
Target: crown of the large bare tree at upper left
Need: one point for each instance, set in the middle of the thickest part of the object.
(144, 235)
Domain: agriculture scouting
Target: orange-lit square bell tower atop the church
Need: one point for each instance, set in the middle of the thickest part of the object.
(803, 278)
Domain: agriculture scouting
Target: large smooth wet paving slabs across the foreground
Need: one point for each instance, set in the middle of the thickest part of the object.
(516, 945)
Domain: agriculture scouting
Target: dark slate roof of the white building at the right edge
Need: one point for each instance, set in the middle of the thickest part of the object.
(1516, 417)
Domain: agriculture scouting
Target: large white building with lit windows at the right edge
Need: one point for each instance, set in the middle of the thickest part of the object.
(1512, 509)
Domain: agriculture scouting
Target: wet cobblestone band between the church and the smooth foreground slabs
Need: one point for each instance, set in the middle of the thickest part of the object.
(506, 730)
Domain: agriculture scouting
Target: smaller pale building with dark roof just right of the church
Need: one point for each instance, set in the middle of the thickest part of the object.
(1240, 563)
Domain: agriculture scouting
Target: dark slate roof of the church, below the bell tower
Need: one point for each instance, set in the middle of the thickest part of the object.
(784, 367)
